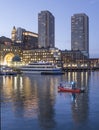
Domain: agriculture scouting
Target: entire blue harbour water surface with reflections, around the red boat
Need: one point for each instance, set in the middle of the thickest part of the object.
(31, 102)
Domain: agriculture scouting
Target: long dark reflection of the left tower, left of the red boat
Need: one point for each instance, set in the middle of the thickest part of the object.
(46, 95)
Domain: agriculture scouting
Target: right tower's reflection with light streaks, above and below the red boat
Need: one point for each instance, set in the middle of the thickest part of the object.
(80, 106)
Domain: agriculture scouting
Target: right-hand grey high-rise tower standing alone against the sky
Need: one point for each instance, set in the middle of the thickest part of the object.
(80, 33)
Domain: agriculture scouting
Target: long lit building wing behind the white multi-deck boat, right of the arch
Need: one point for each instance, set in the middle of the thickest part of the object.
(52, 55)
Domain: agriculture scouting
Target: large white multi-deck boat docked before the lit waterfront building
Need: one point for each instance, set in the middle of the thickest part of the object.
(41, 68)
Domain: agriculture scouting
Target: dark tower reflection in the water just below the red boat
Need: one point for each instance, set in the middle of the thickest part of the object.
(80, 108)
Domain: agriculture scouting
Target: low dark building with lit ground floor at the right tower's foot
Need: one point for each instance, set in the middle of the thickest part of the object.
(74, 59)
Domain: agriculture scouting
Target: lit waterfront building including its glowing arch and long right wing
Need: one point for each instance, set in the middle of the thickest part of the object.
(8, 52)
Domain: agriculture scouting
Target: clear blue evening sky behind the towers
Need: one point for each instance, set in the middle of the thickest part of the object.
(24, 14)
